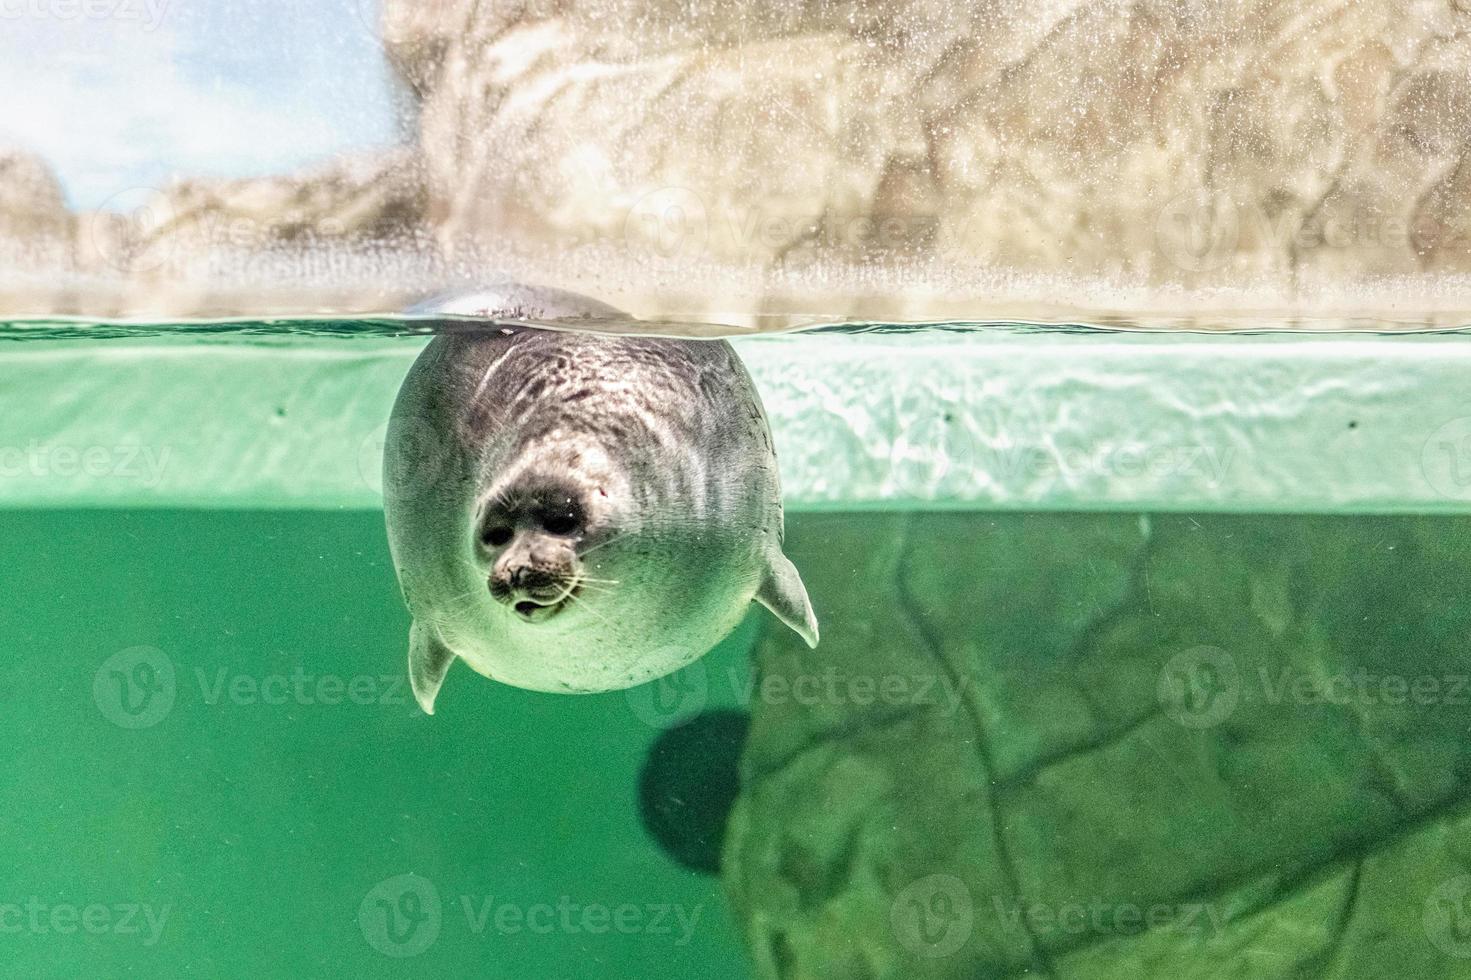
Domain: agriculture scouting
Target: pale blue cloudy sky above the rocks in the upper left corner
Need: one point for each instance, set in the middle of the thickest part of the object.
(123, 95)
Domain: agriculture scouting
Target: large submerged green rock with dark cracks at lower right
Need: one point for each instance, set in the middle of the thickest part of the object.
(1103, 747)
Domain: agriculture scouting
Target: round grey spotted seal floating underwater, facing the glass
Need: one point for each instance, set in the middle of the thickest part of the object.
(576, 511)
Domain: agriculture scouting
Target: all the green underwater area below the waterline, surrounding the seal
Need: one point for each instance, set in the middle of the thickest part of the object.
(1101, 742)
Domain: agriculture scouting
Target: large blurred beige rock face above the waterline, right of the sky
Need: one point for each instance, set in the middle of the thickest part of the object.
(933, 160)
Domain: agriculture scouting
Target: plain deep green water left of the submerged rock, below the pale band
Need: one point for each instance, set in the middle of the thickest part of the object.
(263, 804)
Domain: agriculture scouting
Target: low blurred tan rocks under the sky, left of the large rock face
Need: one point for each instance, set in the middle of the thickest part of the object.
(346, 238)
